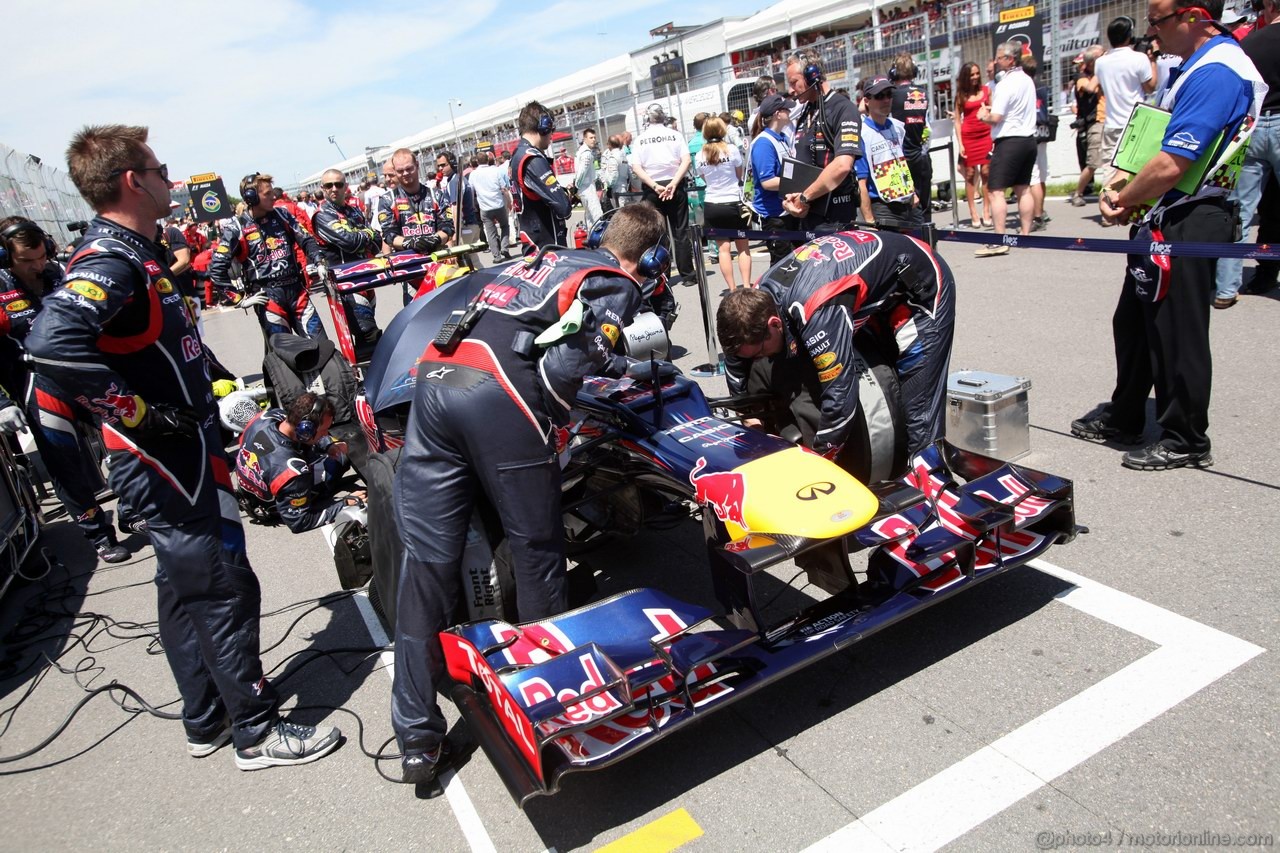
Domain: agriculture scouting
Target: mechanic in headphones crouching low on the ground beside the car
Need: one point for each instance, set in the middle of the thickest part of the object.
(289, 460)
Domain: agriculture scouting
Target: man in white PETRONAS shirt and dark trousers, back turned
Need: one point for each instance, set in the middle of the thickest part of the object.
(660, 161)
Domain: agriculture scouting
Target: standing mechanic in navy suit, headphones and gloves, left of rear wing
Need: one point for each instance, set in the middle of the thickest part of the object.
(263, 239)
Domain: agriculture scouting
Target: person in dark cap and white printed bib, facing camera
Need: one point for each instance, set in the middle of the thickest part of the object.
(885, 189)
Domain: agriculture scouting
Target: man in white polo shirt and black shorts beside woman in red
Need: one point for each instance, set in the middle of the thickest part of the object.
(1012, 115)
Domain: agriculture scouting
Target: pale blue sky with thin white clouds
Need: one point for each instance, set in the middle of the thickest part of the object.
(236, 86)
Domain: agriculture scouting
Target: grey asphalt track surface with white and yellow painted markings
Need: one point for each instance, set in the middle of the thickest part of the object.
(1124, 696)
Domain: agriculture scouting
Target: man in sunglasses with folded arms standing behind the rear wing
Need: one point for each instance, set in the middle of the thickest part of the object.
(346, 236)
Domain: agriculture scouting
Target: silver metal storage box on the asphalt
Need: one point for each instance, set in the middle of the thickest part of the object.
(988, 414)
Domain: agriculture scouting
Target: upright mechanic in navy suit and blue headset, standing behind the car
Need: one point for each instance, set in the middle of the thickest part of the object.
(542, 204)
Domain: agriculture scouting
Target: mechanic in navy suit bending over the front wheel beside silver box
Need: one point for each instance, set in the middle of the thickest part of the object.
(845, 300)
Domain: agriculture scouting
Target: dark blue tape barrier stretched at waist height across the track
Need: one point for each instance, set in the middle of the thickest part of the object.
(1247, 252)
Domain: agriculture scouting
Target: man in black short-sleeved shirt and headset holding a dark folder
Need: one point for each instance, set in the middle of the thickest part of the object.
(829, 136)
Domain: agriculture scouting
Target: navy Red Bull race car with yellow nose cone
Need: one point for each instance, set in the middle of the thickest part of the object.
(587, 688)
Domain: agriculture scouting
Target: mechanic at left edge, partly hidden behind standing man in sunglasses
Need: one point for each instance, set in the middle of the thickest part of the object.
(28, 277)
